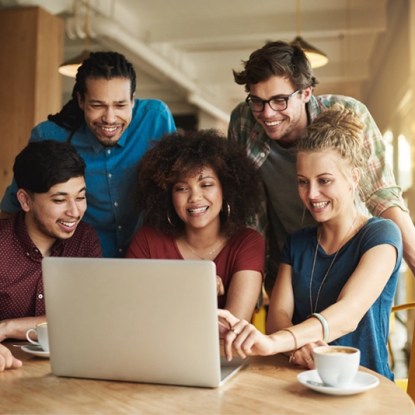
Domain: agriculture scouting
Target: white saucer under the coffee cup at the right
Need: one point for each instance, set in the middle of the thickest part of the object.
(362, 382)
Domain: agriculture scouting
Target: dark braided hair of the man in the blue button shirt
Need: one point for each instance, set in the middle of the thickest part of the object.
(98, 65)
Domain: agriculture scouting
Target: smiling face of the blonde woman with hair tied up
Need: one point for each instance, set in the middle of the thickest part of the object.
(326, 184)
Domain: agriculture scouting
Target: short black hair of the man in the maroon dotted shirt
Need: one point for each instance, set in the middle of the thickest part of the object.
(41, 165)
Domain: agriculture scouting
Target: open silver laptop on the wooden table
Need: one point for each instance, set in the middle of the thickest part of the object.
(139, 320)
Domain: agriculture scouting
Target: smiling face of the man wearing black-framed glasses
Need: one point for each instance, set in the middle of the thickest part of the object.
(284, 126)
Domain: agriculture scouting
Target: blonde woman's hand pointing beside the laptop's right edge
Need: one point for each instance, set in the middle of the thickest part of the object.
(243, 337)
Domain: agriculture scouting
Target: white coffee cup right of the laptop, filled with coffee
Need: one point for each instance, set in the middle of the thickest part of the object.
(337, 366)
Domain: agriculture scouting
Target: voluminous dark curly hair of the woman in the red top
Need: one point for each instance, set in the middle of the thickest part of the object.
(186, 153)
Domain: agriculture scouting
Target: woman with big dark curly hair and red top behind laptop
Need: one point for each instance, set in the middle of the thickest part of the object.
(198, 192)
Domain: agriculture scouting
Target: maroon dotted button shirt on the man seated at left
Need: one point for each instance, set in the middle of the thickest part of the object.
(21, 287)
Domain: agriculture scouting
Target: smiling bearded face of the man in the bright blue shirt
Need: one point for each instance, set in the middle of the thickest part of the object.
(107, 107)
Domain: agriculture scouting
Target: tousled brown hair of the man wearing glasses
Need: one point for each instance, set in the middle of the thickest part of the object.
(277, 59)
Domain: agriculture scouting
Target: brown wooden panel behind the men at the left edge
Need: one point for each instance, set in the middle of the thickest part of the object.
(31, 43)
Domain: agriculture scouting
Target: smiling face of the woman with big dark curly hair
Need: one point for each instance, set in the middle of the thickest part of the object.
(198, 199)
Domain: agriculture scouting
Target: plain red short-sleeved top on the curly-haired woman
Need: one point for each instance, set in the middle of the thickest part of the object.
(244, 251)
